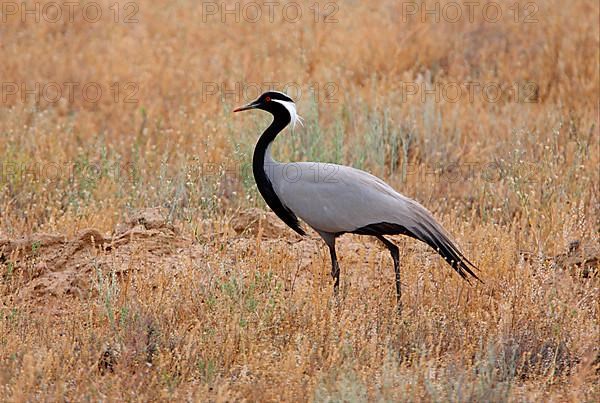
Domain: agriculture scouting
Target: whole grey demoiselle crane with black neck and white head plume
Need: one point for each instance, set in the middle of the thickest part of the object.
(336, 199)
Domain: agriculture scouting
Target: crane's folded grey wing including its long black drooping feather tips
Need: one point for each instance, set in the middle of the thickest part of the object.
(339, 199)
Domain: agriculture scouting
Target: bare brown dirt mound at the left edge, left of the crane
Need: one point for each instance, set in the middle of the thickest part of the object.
(42, 269)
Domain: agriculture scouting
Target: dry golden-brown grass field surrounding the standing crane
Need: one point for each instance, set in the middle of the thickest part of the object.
(210, 313)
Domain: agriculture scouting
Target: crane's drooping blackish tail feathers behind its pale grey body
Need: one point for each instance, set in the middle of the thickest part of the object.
(422, 226)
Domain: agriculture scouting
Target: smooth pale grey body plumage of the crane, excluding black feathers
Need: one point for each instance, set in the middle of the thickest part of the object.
(335, 199)
